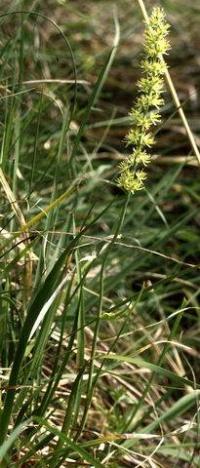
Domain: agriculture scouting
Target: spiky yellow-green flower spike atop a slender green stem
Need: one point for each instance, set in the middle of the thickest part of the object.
(145, 113)
